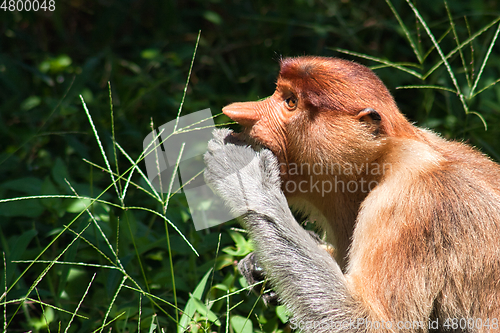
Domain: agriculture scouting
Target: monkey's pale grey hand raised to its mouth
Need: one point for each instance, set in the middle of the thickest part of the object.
(246, 179)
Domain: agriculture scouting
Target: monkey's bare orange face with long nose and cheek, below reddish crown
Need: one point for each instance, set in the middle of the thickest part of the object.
(299, 133)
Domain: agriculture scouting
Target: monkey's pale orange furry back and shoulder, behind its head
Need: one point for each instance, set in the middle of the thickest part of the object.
(440, 232)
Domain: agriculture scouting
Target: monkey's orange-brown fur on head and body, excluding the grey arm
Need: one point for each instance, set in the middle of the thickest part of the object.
(425, 242)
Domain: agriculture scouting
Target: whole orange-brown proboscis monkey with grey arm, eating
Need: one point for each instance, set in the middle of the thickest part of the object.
(414, 218)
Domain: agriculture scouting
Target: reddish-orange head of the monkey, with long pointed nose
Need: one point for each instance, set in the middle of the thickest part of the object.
(324, 110)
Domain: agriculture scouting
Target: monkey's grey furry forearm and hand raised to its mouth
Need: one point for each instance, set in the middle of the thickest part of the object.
(308, 281)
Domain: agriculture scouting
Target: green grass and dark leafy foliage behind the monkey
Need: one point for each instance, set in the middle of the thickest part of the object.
(87, 244)
